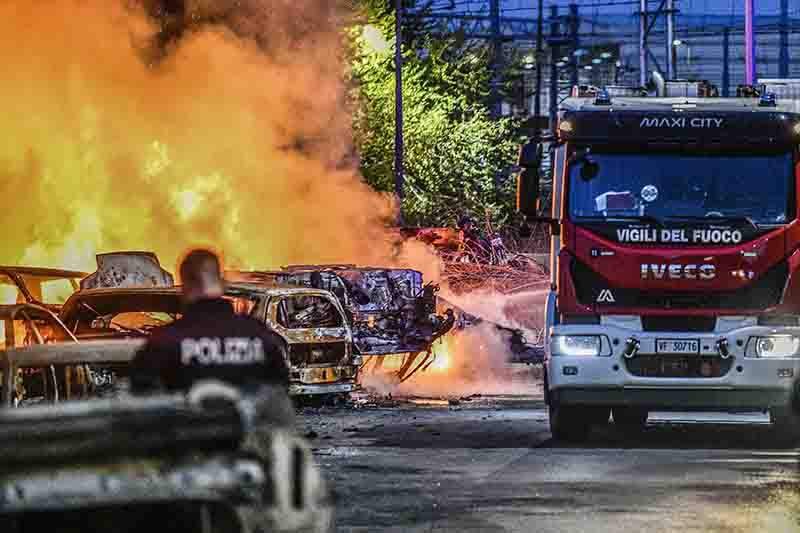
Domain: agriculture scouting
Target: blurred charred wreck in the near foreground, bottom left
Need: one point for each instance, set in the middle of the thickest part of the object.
(211, 460)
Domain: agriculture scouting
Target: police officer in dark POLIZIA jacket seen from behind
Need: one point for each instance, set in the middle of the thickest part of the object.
(209, 341)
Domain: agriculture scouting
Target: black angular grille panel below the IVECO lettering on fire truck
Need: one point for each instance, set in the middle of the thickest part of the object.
(763, 293)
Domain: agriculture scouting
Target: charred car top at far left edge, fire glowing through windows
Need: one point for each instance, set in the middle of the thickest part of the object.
(48, 287)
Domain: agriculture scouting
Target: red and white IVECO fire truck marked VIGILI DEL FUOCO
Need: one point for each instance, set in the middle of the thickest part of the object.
(675, 257)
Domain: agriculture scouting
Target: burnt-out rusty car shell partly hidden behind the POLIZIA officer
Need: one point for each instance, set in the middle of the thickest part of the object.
(311, 323)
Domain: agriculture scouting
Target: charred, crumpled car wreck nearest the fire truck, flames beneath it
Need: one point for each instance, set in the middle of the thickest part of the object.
(390, 310)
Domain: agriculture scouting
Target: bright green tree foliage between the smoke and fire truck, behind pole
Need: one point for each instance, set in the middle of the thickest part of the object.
(456, 156)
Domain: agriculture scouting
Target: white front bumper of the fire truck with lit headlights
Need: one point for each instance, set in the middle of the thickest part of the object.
(742, 366)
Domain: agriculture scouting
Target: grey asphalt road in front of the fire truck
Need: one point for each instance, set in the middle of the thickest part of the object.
(489, 464)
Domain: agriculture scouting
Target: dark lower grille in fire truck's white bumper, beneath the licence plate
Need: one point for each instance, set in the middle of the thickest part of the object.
(678, 366)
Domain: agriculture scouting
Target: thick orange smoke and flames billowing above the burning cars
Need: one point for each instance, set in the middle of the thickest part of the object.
(160, 125)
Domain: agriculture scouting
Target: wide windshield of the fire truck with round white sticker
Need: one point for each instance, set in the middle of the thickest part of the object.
(755, 188)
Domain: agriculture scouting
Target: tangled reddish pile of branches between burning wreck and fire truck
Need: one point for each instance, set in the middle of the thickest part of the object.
(521, 274)
